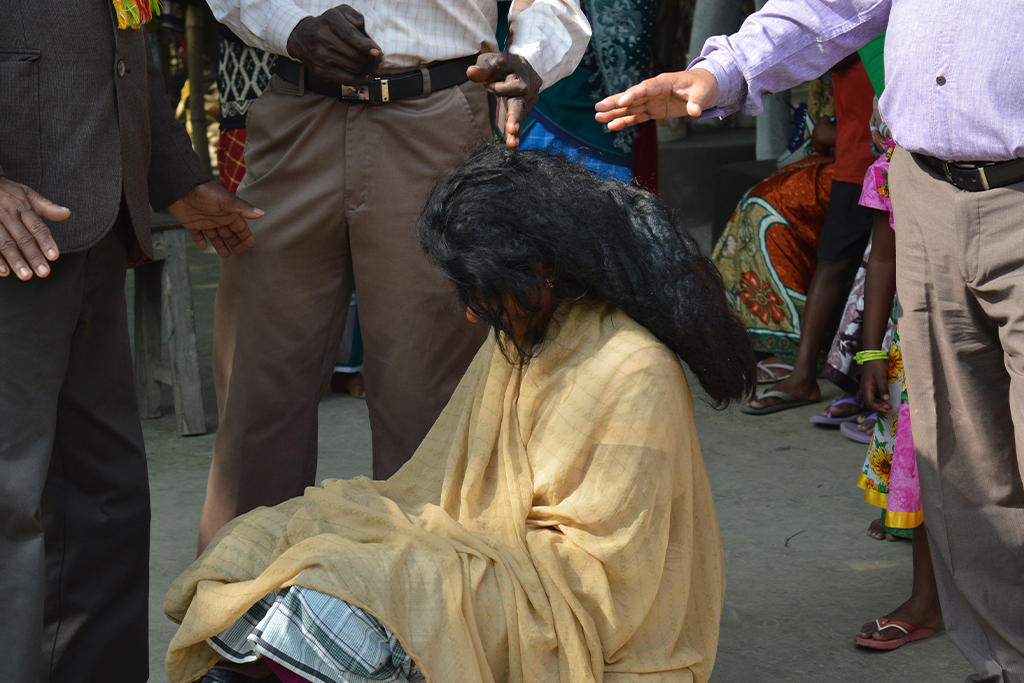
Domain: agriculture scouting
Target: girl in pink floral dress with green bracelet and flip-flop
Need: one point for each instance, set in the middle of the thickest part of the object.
(889, 477)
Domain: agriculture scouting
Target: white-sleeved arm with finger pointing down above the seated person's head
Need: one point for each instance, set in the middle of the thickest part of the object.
(547, 39)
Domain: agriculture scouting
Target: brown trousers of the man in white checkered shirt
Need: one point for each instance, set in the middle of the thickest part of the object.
(343, 186)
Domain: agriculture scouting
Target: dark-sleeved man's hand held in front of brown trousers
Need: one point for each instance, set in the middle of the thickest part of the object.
(211, 214)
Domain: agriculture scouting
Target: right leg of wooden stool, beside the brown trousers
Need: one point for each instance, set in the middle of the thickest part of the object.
(181, 319)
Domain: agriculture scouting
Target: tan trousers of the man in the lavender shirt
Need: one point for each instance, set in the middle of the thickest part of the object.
(960, 266)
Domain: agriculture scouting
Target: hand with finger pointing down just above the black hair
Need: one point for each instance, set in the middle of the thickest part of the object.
(513, 79)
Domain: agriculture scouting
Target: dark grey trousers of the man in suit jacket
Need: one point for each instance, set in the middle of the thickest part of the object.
(74, 493)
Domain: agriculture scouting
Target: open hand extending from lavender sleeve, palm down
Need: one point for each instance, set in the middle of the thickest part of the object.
(665, 97)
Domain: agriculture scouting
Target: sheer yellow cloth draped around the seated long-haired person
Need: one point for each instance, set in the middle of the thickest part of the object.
(556, 526)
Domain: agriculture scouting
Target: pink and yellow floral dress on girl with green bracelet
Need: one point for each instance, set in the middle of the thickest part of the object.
(889, 476)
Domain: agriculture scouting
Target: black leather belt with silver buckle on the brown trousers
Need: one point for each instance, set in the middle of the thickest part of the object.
(380, 91)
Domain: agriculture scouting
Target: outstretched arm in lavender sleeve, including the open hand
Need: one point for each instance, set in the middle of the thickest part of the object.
(787, 44)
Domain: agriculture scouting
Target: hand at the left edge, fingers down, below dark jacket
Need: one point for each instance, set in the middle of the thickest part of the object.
(26, 243)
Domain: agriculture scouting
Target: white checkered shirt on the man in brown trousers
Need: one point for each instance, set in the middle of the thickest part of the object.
(550, 34)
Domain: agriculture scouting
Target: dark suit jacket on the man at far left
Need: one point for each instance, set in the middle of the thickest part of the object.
(84, 119)
